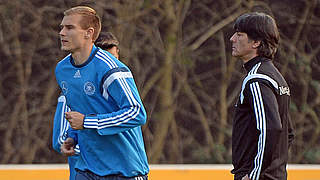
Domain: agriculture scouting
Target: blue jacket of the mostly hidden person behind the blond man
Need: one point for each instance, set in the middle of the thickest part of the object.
(59, 133)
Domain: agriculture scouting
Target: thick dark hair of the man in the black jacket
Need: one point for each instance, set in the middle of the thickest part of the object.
(260, 27)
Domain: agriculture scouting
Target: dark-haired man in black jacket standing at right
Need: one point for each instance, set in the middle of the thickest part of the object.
(262, 129)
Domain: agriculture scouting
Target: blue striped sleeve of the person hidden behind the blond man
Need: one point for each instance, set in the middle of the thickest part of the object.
(60, 124)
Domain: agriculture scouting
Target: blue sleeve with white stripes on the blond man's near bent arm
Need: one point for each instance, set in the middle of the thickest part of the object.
(118, 86)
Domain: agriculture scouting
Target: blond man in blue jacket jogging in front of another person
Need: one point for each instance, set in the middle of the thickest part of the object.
(106, 112)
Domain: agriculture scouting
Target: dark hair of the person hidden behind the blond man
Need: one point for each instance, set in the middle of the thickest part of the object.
(107, 40)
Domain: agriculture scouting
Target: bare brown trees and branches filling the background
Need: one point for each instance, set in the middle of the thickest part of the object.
(179, 52)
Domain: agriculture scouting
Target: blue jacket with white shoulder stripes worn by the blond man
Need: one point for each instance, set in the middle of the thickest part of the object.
(103, 89)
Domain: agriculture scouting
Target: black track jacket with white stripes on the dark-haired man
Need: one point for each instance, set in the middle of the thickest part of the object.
(262, 130)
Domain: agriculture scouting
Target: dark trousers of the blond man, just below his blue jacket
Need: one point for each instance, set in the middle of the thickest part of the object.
(87, 175)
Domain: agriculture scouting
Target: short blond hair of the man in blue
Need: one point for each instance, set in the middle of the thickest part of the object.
(89, 19)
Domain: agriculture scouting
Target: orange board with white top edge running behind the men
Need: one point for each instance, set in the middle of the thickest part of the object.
(157, 172)
